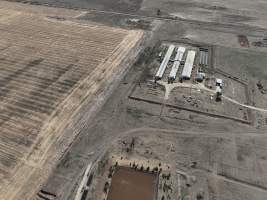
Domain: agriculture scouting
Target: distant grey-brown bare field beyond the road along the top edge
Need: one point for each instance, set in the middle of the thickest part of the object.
(228, 12)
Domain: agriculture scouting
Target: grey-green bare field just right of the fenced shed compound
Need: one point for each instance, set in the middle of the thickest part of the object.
(248, 66)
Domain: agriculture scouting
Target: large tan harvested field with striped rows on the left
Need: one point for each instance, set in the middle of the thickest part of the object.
(49, 68)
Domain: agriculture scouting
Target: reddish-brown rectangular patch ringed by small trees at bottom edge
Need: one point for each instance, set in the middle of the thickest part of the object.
(131, 185)
